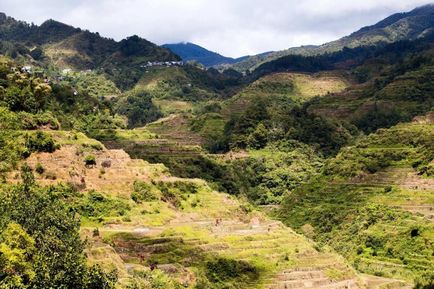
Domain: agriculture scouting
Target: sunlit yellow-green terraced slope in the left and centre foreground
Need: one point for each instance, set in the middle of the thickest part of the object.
(184, 230)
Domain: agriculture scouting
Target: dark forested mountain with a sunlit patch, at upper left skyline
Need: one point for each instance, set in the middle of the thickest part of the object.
(63, 46)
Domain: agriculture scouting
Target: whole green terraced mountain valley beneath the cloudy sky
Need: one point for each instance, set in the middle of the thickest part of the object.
(309, 168)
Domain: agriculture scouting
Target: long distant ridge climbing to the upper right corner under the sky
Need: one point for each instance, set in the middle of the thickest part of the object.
(401, 26)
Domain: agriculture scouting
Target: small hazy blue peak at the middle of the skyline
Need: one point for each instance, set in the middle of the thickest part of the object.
(192, 52)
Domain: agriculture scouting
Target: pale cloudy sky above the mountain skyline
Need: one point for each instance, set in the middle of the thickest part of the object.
(230, 27)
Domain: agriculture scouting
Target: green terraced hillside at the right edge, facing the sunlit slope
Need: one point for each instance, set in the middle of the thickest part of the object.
(374, 203)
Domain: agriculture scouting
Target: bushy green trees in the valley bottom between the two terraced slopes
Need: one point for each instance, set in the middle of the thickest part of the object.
(263, 176)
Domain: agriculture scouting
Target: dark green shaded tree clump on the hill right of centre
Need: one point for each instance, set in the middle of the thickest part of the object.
(264, 122)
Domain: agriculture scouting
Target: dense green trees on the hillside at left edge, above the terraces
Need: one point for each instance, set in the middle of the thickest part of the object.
(27, 101)
